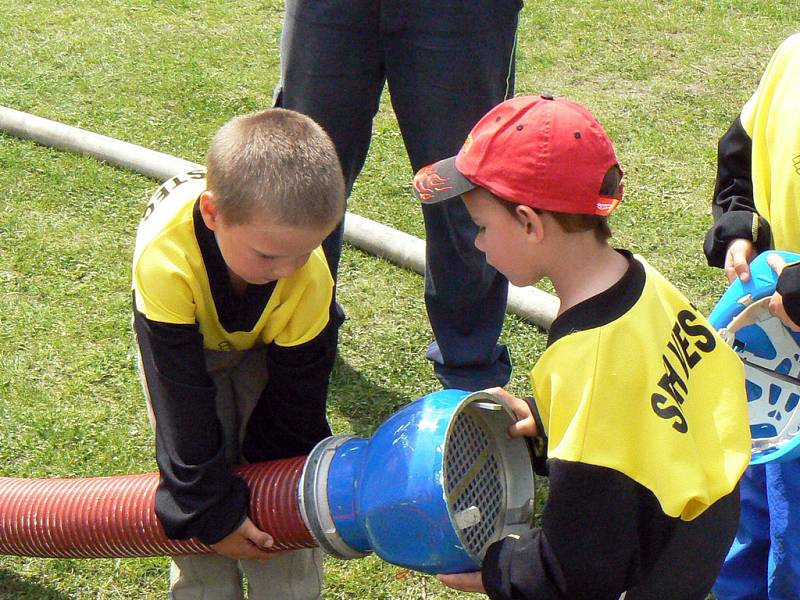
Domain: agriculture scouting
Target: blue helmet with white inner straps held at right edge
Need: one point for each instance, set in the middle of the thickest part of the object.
(771, 353)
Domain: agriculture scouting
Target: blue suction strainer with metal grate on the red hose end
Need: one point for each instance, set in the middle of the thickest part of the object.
(435, 485)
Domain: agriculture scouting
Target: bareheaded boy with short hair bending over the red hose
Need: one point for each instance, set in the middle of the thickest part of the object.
(232, 314)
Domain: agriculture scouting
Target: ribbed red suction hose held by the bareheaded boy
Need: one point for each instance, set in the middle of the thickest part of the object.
(114, 517)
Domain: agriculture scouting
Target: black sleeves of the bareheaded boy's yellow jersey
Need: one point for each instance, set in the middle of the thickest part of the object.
(198, 495)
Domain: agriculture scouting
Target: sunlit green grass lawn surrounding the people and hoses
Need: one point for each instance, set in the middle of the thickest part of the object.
(665, 78)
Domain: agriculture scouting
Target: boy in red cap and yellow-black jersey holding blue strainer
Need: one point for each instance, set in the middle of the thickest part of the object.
(638, 405)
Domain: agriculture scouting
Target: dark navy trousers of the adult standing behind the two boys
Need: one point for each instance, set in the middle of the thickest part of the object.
(447, 63)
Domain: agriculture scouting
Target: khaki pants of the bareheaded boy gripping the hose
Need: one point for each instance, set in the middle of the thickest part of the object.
(240, 378)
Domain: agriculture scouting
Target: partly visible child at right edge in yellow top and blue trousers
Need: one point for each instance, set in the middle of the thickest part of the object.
(756, 208)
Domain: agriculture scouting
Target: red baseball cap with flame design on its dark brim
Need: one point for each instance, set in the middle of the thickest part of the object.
(545, 152)
